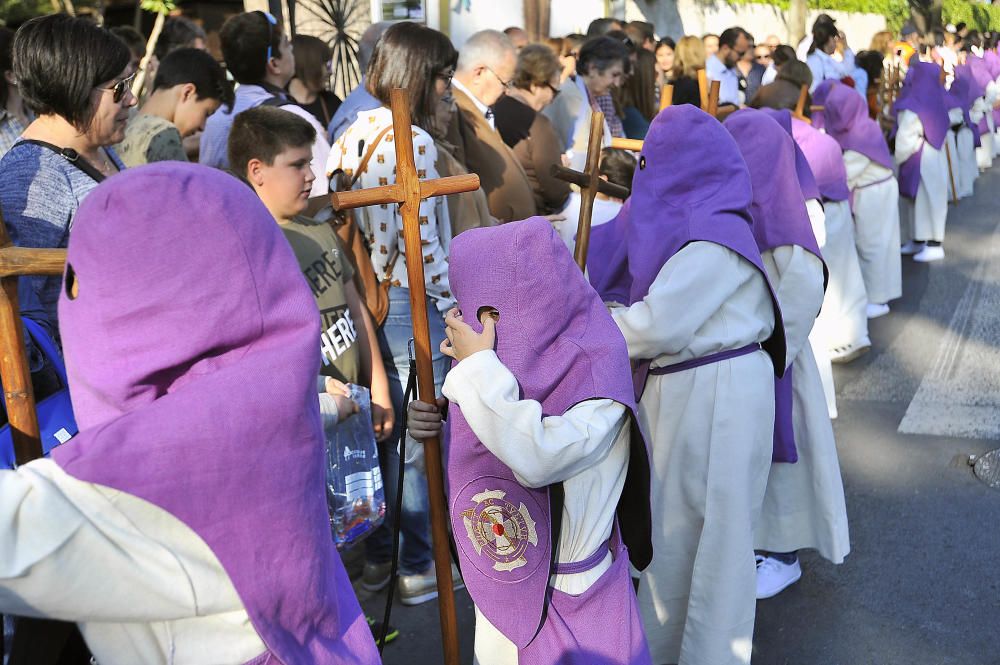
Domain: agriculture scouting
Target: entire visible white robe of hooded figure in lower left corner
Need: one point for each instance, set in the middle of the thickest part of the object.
(142, 585)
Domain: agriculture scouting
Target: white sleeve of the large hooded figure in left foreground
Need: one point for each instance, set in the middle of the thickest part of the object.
(69, 551)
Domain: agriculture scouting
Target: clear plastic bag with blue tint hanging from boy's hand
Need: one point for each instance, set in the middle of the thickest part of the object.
(354, 491)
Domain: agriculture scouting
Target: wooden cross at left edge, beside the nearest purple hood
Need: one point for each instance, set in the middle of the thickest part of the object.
(14, 372)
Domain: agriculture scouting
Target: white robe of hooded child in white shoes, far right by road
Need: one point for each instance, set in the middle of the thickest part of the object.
(924, 217)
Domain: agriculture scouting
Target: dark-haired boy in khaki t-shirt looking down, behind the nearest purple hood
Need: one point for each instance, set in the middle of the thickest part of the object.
(189, 87)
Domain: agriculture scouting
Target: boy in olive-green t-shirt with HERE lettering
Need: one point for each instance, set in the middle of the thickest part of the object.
(271, 149)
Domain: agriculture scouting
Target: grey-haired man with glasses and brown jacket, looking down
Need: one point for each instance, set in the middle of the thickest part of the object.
(486, 65)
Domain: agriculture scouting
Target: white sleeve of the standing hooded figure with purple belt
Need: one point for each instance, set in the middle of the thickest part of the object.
(686, 293)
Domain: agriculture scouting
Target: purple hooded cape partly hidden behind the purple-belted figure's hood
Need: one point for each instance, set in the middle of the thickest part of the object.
(779, 218)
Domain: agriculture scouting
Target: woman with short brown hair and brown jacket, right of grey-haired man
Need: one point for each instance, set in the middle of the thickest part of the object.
(529, 133)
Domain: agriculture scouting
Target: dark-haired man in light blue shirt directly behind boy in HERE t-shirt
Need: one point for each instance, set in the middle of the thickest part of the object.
(260, 58)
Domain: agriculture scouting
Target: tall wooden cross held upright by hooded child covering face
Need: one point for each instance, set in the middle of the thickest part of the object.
(408, 191)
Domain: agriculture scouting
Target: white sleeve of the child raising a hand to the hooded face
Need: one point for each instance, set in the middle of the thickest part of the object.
(539, 450)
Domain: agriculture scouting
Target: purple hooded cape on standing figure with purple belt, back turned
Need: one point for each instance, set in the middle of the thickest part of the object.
(706, 200)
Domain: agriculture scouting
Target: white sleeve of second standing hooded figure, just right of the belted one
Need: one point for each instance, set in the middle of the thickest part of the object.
(797, 277)
